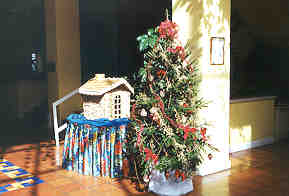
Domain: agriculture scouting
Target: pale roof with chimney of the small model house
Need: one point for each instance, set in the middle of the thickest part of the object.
(100, 85)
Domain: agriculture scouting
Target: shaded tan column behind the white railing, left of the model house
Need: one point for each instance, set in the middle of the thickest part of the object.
(63, 49)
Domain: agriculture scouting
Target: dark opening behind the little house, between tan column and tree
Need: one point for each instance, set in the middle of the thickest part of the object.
(108, 32)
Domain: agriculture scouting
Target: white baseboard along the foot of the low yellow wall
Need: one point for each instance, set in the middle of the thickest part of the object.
(253, 144)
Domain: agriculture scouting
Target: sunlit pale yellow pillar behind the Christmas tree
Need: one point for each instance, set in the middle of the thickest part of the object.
(199, 20)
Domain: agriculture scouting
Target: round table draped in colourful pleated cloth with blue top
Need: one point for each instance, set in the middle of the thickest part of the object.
(94, 147)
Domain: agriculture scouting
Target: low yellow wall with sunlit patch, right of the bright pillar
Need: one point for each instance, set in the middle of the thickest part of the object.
(251, 120)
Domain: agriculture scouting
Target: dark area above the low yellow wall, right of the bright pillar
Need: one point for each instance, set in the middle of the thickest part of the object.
(260, 40)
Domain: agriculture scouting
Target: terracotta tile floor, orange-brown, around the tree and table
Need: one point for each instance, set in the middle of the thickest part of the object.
(260, 171)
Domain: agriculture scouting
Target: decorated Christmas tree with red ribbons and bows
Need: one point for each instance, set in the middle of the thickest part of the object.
(165, 133)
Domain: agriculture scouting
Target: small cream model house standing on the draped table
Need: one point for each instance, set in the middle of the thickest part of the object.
(106, 98)
